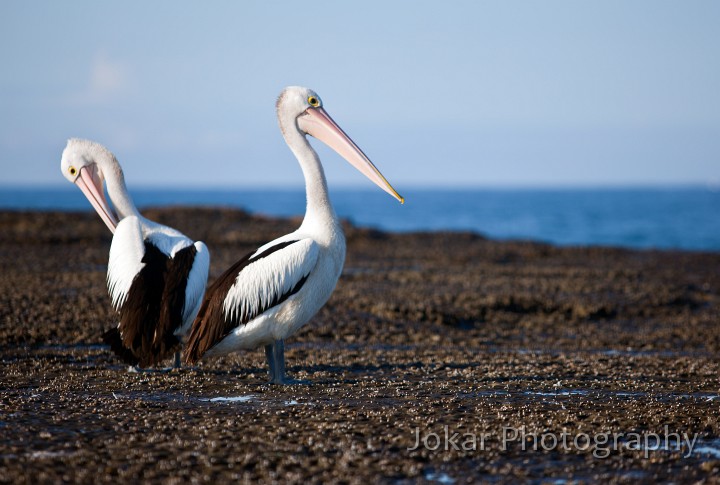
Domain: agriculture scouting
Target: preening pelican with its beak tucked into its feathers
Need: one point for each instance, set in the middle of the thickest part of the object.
(156, 276)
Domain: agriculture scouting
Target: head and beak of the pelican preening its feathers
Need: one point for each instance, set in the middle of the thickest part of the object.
(84, 163)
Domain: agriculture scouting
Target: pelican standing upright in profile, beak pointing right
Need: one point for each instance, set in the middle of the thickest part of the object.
(266, 296)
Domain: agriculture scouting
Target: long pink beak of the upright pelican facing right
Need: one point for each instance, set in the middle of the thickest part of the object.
(316, 122)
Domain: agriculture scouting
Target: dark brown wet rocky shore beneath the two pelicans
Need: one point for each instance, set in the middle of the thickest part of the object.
(467, 343)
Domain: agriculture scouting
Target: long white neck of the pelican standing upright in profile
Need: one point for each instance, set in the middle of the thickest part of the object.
(319, 211)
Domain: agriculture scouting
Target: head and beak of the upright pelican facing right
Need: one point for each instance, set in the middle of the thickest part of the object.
(302, 109)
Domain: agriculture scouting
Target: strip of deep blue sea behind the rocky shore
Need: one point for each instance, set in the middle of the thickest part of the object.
(667, 218)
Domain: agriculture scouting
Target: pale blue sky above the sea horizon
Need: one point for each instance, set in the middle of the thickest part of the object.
(463, 93)
